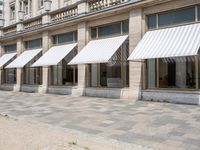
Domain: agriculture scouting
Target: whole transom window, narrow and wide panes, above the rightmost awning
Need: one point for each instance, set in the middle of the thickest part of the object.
(170, 18)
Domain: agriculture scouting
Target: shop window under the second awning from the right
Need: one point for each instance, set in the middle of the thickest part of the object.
(114, 74)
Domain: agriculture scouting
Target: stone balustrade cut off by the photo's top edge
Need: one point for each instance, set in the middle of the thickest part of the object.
(95, 5)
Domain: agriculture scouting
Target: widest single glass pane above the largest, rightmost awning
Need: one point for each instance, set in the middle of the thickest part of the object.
(184, 15)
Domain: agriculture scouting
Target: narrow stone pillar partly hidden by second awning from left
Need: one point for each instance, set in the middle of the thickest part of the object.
(20, 49)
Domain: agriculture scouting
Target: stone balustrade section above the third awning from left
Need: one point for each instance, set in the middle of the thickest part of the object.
(64, 14)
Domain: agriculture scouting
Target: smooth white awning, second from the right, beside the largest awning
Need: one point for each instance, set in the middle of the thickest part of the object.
(98, 51)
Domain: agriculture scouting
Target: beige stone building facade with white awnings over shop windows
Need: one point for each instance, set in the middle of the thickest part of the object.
(133, 49)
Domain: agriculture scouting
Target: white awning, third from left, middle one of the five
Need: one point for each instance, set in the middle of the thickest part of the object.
(54, 55)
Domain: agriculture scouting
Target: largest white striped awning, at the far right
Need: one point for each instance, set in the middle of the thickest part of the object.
(171, 42)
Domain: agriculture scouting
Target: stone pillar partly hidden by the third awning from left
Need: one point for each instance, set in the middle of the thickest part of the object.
(45, 70)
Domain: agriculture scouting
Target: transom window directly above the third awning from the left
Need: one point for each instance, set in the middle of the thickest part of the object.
(65, 38)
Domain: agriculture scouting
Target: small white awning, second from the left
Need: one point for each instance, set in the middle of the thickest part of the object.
(24, 58)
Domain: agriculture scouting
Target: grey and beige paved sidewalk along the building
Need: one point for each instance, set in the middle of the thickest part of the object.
(157, 125)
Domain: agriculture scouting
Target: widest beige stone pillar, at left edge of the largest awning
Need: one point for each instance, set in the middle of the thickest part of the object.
(135, 72)
